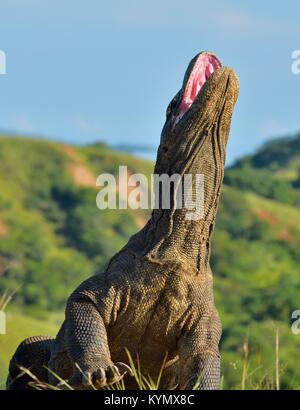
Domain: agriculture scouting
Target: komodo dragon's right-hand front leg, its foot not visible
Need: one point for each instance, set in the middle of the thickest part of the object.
(199, 353)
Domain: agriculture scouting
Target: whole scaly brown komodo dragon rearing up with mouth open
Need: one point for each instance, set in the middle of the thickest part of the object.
(156, 296)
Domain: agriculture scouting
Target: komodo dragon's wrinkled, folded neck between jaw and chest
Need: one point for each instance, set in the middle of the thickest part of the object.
(171, 234)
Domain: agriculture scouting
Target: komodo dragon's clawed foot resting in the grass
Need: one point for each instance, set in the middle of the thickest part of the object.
(101, 377)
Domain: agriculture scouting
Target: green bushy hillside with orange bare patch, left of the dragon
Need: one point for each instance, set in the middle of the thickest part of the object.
(52, 236)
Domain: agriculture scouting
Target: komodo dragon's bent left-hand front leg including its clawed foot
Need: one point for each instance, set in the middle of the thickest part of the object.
(88, 308)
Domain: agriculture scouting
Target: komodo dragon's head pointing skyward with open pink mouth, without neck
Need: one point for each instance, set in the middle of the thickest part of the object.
(198, 118)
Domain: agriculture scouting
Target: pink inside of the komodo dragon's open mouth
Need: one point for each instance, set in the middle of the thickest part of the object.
(203, 69)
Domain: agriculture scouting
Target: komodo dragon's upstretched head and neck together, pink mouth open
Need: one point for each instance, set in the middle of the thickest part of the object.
(193, 142)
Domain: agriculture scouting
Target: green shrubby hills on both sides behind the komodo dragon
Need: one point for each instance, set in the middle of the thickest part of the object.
(52, 237)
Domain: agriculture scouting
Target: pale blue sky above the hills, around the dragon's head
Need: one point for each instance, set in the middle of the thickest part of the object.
(81, 71)
